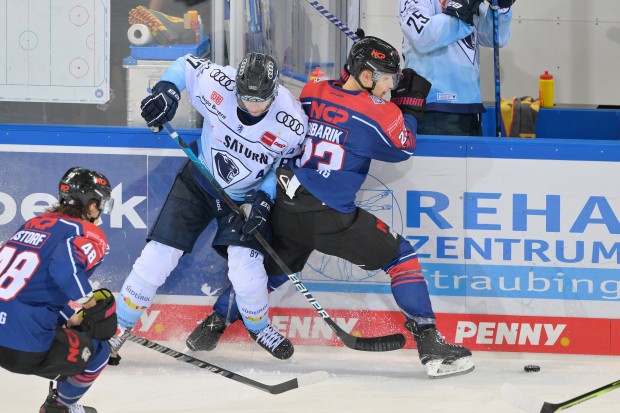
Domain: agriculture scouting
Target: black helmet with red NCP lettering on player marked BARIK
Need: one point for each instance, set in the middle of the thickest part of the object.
(376, 55)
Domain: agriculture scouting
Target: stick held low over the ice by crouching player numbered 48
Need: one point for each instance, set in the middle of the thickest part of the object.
(305, 380)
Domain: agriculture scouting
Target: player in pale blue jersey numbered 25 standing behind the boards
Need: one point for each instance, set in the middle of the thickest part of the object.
(442, 42)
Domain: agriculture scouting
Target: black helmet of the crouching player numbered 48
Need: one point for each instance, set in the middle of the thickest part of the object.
(79, 186)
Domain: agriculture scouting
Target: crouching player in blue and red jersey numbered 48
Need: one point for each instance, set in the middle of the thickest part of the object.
(44, 266)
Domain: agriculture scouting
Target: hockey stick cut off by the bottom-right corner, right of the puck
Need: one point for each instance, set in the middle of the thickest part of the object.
(525, 402)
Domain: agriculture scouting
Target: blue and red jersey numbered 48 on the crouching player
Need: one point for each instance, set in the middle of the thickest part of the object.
(45, 265)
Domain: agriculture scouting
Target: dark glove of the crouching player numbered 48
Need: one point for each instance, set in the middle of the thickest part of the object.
(100, 320)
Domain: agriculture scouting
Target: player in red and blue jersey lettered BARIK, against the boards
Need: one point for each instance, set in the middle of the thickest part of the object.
(349, 125)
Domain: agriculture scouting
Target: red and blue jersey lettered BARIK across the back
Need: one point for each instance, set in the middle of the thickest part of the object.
(346, 130)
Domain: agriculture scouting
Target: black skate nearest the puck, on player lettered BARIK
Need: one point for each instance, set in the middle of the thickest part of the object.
(441, 359)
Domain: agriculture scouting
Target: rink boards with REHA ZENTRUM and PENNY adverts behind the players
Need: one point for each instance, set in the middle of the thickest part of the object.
(518, 239)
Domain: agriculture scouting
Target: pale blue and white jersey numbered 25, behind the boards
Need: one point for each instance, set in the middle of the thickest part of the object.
(446, 51)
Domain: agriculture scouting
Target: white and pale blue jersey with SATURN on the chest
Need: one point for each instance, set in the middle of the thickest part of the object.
(237, 155)
